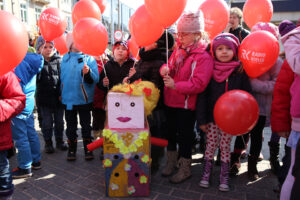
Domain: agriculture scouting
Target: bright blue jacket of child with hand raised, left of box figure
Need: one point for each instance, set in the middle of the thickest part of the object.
(76, 89)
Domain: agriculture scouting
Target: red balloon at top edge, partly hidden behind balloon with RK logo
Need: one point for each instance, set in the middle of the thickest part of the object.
(85, 8)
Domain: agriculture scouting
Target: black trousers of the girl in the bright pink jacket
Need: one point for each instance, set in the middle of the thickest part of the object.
(180, 129)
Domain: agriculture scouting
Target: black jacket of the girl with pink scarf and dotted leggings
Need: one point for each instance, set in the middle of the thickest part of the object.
(206, 100)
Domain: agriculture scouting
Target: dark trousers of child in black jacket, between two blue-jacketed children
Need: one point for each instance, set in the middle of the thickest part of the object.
(52, 116)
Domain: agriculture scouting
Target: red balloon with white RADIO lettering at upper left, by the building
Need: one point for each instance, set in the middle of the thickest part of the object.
(52, 23)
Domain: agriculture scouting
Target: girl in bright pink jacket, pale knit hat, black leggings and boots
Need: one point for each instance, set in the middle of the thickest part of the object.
(189, 72)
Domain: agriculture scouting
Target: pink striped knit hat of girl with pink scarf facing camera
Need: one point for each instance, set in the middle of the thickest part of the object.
(226, 39)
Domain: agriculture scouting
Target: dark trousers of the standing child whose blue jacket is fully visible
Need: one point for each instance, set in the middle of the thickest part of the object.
(84, 112)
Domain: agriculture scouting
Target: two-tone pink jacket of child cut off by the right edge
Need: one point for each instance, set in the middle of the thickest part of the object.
(291, 43)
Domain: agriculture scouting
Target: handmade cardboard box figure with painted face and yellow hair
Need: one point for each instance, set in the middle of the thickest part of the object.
(126, 139)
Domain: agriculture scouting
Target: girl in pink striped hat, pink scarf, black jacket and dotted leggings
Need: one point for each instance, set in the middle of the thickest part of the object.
(227, 75)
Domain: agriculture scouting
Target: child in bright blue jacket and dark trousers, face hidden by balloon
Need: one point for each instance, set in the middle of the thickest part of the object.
(79, 75)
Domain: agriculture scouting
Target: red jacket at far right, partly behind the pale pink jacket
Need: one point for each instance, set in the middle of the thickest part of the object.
(280, 110)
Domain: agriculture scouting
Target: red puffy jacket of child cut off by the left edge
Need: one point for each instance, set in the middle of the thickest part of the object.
(12, 102)
